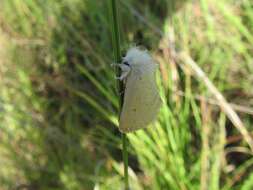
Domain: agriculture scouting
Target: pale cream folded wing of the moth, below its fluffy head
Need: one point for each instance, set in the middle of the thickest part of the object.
(141, 99)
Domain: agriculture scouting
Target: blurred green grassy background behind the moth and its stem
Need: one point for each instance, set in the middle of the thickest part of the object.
(59, 102)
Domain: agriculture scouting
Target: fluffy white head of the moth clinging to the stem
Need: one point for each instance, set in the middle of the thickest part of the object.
(136, 56)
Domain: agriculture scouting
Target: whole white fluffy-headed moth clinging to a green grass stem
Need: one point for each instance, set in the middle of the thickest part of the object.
(141, 97)
